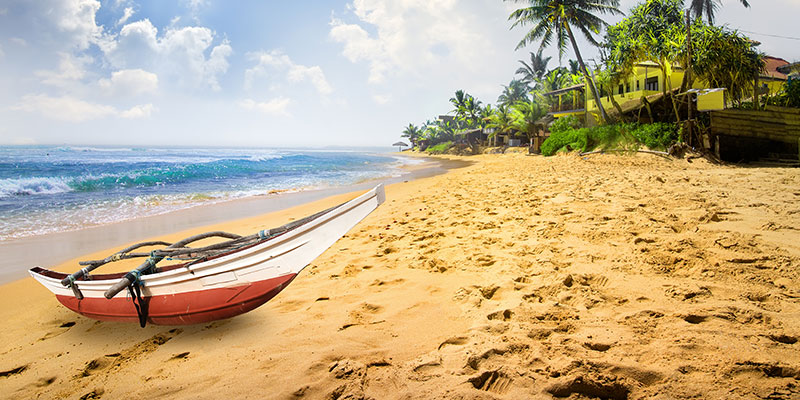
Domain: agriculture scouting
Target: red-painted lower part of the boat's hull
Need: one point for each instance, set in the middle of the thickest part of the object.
(183, 308)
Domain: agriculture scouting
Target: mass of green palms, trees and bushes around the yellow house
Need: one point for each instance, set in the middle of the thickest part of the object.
(655, 30)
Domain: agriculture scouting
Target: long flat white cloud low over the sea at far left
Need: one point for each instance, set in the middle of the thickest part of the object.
(70, 109)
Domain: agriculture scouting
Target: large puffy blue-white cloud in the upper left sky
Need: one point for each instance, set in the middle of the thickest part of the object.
(179, 53)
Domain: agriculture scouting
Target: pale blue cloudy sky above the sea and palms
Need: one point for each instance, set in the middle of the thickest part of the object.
(267, 73)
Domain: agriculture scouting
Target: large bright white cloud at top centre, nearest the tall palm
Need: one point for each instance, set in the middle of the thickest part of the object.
(411, 36)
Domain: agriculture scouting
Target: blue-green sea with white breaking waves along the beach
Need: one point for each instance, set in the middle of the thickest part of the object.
(46, 189)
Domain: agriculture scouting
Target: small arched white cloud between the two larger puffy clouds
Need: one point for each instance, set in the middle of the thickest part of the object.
(277, 63)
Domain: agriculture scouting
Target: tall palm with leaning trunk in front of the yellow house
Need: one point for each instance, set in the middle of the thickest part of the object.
(556, 18)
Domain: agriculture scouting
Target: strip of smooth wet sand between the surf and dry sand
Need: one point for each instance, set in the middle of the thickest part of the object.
(25, 253)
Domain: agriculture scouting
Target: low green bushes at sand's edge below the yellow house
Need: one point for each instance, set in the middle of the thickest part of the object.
(566, 134)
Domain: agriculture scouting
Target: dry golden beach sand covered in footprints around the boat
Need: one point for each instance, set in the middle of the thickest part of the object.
(515, 277)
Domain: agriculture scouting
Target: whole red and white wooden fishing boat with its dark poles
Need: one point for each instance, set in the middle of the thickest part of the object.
(209, 283)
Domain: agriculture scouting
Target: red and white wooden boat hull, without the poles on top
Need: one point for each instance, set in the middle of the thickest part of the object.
(218, 287)
